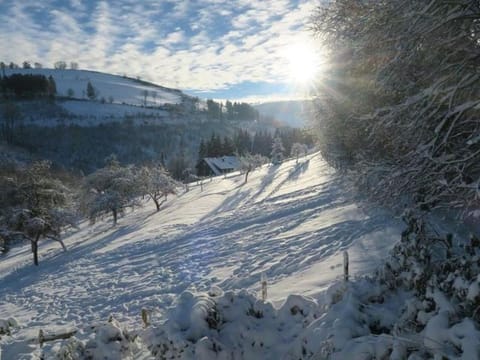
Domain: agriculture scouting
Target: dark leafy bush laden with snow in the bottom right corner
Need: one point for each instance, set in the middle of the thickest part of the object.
(444, 281)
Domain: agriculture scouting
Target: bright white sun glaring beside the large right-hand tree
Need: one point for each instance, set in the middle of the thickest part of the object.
(303, 62)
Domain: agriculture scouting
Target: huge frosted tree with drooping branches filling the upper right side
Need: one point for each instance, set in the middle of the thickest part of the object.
(402, 104)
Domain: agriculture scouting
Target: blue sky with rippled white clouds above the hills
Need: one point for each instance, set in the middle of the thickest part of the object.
(223, 49)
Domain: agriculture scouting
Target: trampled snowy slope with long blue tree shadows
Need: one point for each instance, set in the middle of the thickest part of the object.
(290, 222)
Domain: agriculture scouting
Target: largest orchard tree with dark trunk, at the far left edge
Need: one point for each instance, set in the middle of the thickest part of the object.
(35, 205)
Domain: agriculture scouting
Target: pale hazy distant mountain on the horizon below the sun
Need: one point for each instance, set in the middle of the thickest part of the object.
(295, 113)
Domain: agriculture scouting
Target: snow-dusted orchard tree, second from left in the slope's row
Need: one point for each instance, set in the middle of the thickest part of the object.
(111, 189)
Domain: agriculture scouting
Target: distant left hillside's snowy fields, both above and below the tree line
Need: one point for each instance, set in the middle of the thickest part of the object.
(117, 98)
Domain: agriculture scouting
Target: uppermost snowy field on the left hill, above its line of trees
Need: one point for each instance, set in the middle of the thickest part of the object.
(121, 89)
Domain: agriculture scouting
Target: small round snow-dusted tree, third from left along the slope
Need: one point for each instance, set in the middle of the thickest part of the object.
(156, 183)
